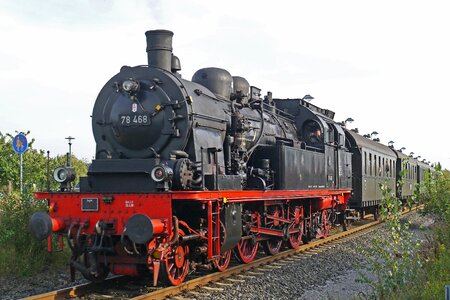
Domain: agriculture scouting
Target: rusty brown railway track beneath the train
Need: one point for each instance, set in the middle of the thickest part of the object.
(120, 287)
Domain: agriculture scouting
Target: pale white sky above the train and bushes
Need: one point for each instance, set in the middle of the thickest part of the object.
(384, 63)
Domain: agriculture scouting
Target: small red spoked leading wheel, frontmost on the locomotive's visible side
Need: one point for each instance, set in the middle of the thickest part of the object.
(176, 265)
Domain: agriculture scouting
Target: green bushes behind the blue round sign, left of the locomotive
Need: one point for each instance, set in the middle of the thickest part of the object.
(20, 253)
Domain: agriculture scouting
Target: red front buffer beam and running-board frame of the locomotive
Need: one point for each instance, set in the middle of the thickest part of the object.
(159, 205)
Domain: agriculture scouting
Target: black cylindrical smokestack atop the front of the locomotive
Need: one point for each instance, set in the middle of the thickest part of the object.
(159, 49)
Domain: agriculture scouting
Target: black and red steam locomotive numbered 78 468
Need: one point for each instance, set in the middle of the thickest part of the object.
(188, 173)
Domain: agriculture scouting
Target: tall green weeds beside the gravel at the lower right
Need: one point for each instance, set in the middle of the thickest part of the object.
(408, 269)
